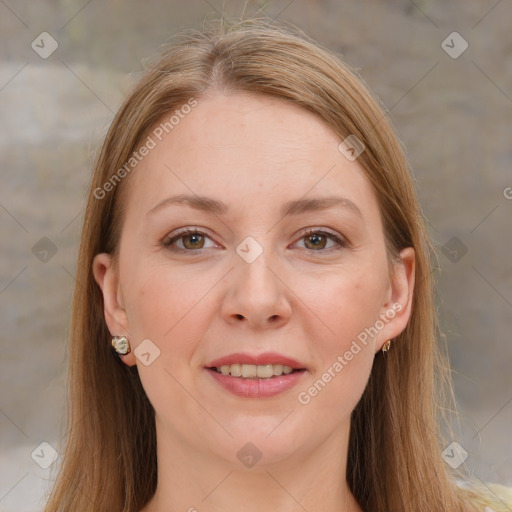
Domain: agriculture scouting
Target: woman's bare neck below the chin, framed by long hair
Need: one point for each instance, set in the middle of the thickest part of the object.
(198, 481)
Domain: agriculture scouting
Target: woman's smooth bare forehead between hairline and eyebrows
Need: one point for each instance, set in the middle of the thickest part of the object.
(243, 146)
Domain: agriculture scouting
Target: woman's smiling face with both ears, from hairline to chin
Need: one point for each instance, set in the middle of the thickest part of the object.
(250, 280)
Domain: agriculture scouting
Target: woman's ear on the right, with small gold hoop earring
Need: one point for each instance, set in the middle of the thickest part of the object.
(396, 311)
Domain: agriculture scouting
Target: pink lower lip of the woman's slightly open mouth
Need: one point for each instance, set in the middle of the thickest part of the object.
(257, 388)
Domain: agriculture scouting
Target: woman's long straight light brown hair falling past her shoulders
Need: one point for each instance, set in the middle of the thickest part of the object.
(394, 461)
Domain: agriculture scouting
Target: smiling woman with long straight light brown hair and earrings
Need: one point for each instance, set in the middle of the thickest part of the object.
(254, 251)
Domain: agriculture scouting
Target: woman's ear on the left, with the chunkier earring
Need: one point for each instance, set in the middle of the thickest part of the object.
(106, 275)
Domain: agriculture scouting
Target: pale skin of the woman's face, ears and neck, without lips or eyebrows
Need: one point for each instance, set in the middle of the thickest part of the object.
(306, 299)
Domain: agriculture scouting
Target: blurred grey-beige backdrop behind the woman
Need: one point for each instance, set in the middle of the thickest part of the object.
(443, 70)
